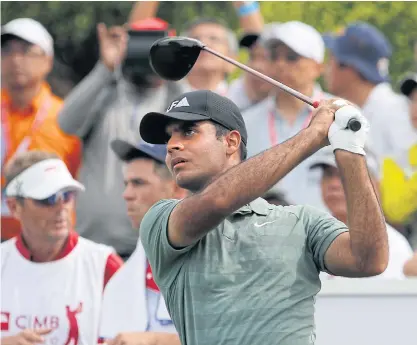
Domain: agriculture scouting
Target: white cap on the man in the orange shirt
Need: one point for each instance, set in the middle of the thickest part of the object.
(32, 31)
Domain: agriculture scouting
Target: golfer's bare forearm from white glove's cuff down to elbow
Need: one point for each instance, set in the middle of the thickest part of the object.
(367, 228)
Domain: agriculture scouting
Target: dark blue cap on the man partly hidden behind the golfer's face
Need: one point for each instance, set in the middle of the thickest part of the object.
(127, 152)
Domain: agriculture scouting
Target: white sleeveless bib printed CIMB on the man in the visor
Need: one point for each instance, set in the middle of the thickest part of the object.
(64, 295)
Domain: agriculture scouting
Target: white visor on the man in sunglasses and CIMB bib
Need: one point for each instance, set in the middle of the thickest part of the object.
(42, 180)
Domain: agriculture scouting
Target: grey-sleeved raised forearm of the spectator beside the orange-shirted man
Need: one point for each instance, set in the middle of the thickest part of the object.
(76, 116)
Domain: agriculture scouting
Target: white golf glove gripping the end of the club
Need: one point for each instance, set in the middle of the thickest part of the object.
(343, 138)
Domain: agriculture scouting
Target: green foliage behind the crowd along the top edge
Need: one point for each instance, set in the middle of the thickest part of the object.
(73, 24)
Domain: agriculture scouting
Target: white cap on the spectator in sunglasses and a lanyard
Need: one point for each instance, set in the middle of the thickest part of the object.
(300, 37)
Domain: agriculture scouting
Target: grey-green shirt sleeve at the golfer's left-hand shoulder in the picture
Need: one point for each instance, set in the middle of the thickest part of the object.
(165, 260)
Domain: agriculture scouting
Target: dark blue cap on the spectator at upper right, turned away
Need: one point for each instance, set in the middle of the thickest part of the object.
(363, 47)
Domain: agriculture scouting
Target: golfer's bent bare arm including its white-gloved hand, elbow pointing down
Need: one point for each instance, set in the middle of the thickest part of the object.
(363, 251)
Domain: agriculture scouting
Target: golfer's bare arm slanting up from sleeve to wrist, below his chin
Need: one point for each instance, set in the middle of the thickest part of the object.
(240, 185)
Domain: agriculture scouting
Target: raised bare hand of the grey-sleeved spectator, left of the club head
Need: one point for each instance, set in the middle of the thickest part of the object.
(113, 45)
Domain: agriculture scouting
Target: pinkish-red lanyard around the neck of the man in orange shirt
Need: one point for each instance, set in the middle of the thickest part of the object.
(24, 144)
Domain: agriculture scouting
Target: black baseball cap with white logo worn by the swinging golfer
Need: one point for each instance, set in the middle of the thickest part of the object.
(201, 105)
